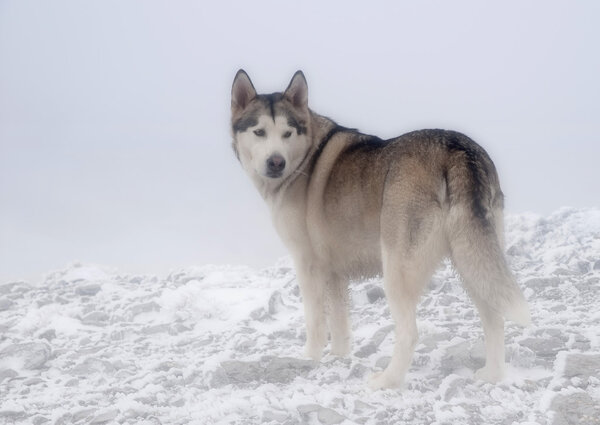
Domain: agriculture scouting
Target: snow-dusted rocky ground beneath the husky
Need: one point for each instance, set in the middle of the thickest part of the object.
(222, 345)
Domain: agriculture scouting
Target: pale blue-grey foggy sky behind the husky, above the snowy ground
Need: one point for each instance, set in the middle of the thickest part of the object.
(114, 134)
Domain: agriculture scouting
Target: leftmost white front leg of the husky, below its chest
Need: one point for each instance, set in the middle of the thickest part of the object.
(312, 288)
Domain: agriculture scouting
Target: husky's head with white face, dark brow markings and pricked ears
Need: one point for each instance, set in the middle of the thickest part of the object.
(271, 132)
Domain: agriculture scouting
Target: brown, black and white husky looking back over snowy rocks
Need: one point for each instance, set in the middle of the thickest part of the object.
(349, 205)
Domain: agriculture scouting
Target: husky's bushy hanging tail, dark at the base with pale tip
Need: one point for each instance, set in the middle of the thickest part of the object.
(475, 230)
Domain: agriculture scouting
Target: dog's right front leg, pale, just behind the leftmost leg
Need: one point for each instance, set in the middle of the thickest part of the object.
(338, 316)
